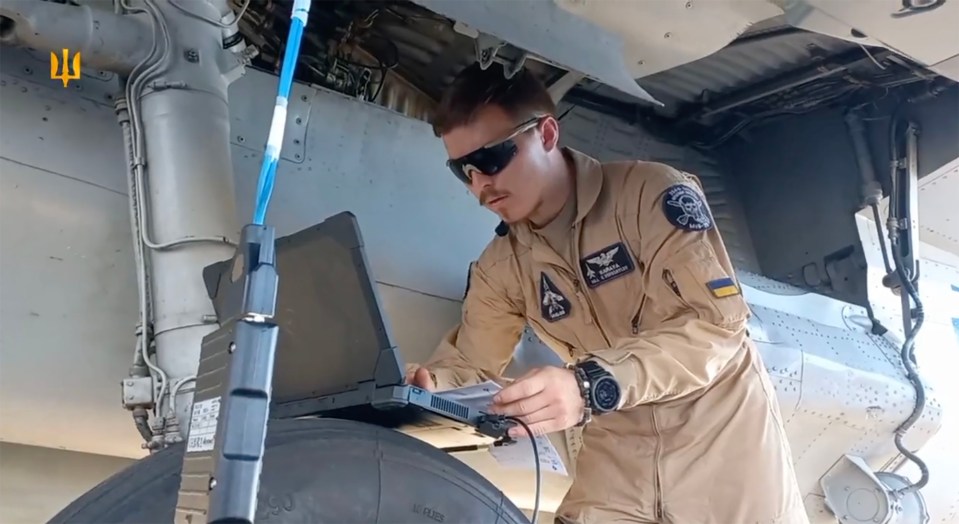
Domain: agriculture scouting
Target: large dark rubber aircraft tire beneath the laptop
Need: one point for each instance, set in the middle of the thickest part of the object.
(316, 471)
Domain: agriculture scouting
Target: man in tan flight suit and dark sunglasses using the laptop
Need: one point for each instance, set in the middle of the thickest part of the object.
(619, 267)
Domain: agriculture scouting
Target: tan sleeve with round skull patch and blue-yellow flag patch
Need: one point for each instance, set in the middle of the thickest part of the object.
(695, 309)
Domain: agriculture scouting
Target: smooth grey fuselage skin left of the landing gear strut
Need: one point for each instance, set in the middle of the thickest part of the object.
(68, 295)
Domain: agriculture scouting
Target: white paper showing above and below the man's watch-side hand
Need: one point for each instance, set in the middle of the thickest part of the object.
(517, 454)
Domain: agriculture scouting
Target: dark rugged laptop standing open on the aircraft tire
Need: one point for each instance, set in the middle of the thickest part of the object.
(335, 354)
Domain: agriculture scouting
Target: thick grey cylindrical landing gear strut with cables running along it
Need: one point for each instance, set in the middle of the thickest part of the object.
(186, 193)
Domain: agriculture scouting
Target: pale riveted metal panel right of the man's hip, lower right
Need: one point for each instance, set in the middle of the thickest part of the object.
(853, 388)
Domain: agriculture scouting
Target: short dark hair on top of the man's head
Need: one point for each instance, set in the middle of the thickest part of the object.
(522, 96)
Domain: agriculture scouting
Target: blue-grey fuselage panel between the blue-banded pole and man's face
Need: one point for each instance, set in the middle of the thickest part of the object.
(421, 226)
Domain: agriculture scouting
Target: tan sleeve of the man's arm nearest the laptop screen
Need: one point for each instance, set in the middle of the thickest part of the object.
(481, 346)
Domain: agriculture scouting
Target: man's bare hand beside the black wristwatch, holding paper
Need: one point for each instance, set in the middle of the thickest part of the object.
(547, 399)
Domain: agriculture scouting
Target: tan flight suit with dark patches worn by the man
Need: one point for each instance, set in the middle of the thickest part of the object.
(644, 287)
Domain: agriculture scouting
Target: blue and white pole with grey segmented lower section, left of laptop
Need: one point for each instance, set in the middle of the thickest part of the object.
(246, 404)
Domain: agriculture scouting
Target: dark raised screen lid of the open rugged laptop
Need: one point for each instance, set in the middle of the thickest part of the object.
(332, 330)
